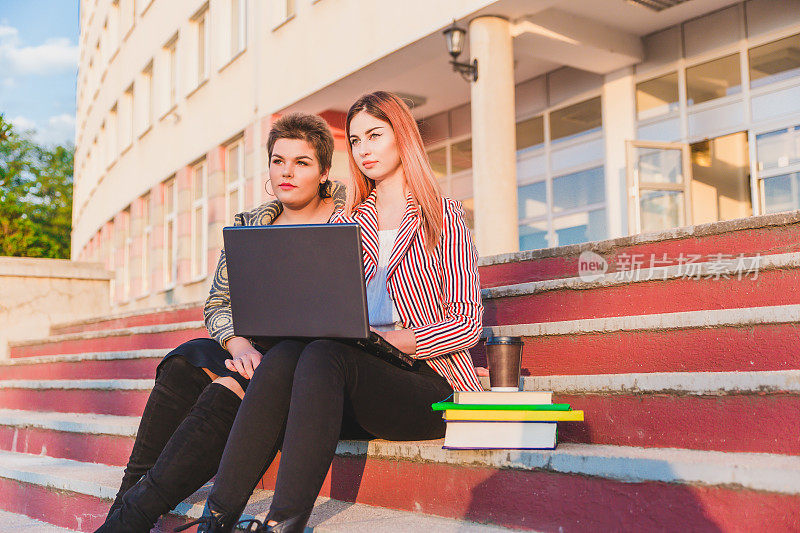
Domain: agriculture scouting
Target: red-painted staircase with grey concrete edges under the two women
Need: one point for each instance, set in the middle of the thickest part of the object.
(683, 350)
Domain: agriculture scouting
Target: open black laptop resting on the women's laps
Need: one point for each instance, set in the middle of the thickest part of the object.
(304, 282)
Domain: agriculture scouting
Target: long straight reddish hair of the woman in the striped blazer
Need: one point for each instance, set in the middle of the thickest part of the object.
(417, 170)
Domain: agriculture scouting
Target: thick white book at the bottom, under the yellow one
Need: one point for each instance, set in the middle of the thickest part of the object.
(500, 435)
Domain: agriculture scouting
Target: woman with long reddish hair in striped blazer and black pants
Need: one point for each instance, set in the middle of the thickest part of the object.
(423, 295)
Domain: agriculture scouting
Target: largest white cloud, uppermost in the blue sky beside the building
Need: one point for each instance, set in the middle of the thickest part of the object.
(52, 56)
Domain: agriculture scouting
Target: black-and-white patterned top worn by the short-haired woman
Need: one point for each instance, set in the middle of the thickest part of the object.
(217, 311)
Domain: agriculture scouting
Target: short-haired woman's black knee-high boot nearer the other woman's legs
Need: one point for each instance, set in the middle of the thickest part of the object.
(189, 460)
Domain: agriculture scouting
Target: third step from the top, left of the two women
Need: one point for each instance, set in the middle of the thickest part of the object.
(131, 364)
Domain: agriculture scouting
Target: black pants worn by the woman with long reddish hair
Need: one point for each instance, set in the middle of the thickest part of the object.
(302, 398)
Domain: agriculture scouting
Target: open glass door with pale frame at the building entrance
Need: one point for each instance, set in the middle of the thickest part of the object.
(659, 177)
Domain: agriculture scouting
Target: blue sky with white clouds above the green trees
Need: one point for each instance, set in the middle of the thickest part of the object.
(39, 65)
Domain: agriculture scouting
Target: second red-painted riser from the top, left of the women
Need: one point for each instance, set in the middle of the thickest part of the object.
(113, 342)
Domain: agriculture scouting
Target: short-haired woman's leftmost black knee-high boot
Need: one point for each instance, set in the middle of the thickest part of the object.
(177, 387)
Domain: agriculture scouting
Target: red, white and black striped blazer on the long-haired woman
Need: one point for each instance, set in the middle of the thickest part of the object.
(437, 295)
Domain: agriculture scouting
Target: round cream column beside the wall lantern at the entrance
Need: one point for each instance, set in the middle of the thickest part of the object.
(494, 165)
